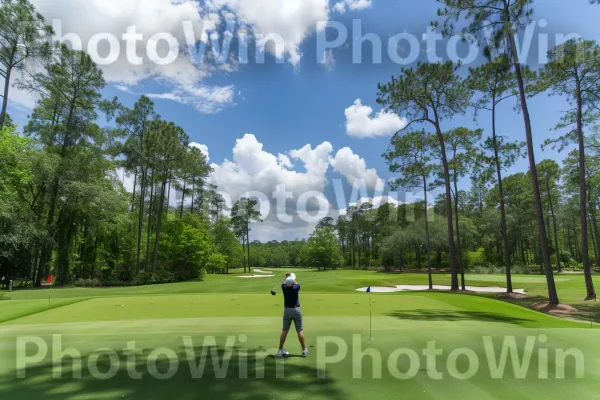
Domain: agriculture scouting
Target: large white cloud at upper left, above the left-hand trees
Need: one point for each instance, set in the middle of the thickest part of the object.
(78, 22)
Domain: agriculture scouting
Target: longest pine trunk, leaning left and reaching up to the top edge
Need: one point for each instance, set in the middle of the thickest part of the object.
(552, 293)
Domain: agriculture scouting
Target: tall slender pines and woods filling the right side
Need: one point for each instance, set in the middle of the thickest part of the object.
(537, 217)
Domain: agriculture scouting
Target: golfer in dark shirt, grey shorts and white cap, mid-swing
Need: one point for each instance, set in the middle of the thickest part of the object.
(291, 312)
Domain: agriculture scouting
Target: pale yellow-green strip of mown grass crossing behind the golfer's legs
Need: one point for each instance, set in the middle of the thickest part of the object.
(418, 306)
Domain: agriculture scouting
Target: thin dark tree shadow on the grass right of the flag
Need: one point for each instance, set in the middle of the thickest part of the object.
(457, 315)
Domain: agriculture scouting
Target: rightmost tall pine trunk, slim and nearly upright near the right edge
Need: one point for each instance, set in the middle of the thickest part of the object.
(587, 269)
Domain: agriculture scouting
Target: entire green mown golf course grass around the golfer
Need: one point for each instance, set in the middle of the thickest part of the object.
(231, 326)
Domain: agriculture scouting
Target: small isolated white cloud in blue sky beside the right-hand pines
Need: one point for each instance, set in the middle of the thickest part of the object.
(359, 122)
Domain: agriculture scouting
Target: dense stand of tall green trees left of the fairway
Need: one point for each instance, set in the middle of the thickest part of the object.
(65, 213)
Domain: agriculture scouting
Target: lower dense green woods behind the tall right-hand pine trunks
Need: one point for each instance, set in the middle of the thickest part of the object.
(394, 237)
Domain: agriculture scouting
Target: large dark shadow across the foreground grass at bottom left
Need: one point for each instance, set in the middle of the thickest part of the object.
(251, 374)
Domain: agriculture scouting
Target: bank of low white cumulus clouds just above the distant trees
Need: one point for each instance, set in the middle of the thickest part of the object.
(292, 201)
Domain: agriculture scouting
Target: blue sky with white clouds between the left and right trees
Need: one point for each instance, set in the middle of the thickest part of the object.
(289, 105)
